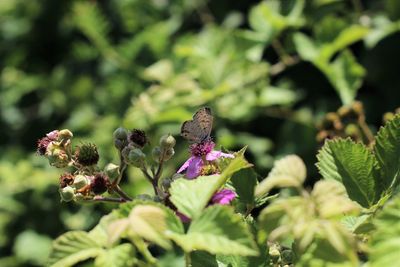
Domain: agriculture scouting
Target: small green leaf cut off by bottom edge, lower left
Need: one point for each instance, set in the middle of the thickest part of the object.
(119, 256)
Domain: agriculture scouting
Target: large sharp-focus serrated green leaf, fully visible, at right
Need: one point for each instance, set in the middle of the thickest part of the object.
(352, 164)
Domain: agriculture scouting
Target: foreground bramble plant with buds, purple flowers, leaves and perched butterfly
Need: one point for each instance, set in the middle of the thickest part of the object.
(214, 212)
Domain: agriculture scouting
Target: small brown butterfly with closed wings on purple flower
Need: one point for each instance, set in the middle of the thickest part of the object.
(199, 128)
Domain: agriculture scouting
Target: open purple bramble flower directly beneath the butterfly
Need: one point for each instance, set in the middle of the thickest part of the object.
(201, 152)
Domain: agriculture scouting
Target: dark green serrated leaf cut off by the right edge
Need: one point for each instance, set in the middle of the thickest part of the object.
(387, 151)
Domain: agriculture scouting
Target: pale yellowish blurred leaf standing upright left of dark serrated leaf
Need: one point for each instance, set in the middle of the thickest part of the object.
(289, 171)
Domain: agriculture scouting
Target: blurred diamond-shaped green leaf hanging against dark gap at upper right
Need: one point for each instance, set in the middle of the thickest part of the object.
(346, 74)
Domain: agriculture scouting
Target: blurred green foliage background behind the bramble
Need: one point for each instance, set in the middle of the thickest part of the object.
(269, 70)
